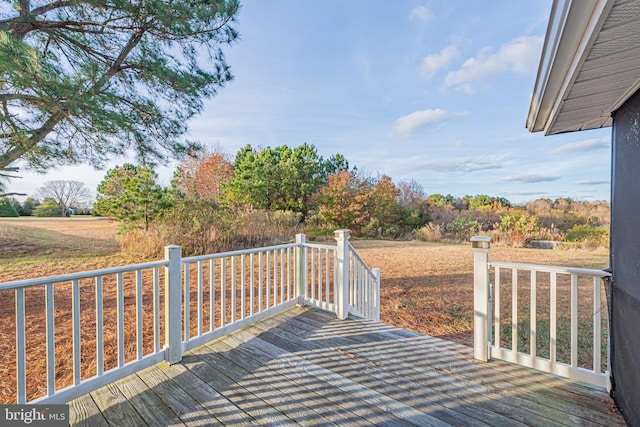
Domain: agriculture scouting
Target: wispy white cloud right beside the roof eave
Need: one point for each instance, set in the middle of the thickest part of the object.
(519, 56)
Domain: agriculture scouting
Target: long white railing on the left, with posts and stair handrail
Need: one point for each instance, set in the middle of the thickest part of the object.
(203, 297)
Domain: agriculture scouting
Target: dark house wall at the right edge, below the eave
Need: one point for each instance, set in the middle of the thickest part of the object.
(625, 259)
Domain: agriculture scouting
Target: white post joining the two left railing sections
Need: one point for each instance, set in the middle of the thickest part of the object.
(173, 304)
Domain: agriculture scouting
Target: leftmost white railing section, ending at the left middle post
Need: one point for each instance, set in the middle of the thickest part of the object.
(89, 291)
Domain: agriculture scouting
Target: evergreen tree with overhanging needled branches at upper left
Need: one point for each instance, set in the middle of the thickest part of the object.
(82, 80)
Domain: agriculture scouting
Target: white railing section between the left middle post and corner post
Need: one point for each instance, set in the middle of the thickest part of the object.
(233, 289)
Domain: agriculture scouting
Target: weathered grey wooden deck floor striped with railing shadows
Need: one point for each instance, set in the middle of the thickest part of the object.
(305, 367)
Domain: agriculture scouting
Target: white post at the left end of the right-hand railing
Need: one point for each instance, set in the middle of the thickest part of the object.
(481, 245)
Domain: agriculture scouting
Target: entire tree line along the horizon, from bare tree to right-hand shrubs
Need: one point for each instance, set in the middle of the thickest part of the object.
(262, 195)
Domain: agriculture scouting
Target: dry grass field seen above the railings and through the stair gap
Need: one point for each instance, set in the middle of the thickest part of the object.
(426, 287)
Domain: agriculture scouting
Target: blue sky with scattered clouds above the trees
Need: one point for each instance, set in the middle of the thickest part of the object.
(434, 91)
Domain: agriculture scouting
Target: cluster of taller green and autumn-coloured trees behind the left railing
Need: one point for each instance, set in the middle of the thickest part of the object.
(261, 195)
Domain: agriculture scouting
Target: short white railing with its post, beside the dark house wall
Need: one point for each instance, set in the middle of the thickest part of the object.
(549, 318)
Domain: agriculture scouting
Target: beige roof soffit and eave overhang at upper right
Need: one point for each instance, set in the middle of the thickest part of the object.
(590, 65)
